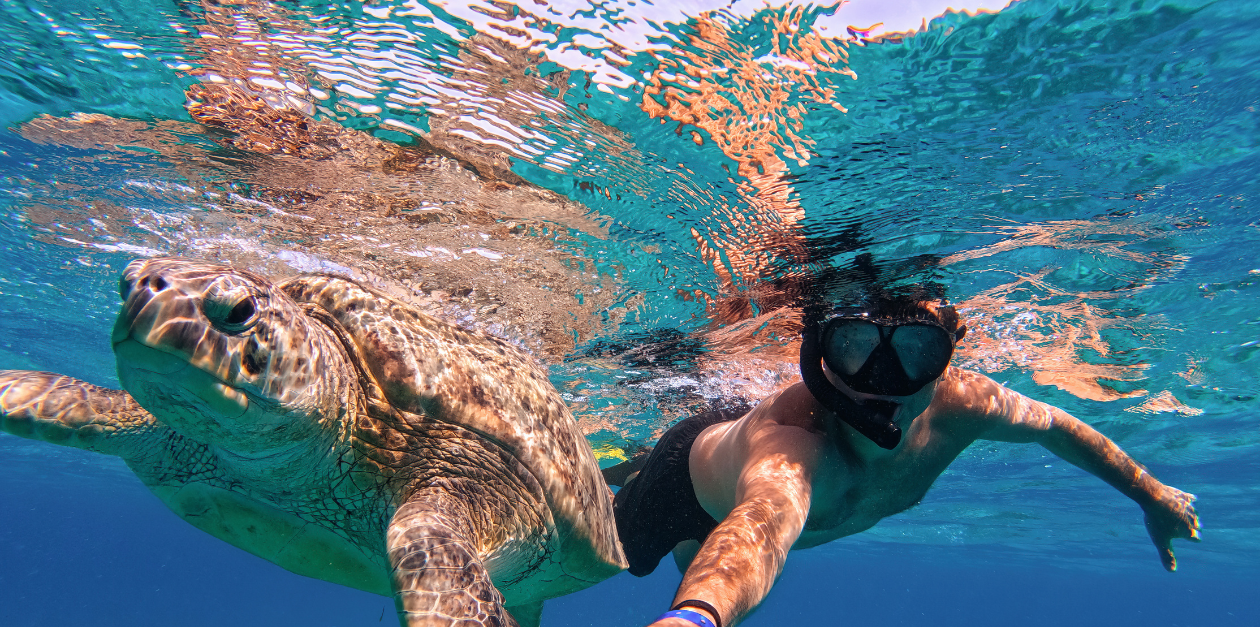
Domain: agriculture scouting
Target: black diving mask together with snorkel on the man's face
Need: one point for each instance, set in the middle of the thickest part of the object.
(890, 357)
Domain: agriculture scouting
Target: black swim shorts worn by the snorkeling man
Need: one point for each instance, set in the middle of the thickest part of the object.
(658, 509)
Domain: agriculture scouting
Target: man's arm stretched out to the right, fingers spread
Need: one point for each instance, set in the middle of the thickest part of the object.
(1170, 512)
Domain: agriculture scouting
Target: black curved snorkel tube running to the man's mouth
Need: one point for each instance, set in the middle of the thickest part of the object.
(873, 419)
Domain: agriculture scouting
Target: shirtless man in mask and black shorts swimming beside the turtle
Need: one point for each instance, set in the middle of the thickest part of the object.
(880, 415)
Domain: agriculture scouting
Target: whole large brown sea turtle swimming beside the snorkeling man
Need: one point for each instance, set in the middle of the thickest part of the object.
(343, 436)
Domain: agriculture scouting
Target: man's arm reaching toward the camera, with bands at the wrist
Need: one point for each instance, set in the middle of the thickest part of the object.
(743, 557)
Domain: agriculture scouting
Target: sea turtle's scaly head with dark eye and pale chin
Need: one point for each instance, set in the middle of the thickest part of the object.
(226, 358)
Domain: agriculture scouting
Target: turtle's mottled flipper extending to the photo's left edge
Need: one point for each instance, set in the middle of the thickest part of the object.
(65, 411)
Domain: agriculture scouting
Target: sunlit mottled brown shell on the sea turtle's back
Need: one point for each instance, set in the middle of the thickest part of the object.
(439, 372)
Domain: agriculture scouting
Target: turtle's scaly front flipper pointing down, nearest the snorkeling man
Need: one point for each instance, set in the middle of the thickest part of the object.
(439, 579)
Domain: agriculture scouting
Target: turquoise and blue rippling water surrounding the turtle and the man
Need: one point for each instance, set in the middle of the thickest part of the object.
(641, 196)
